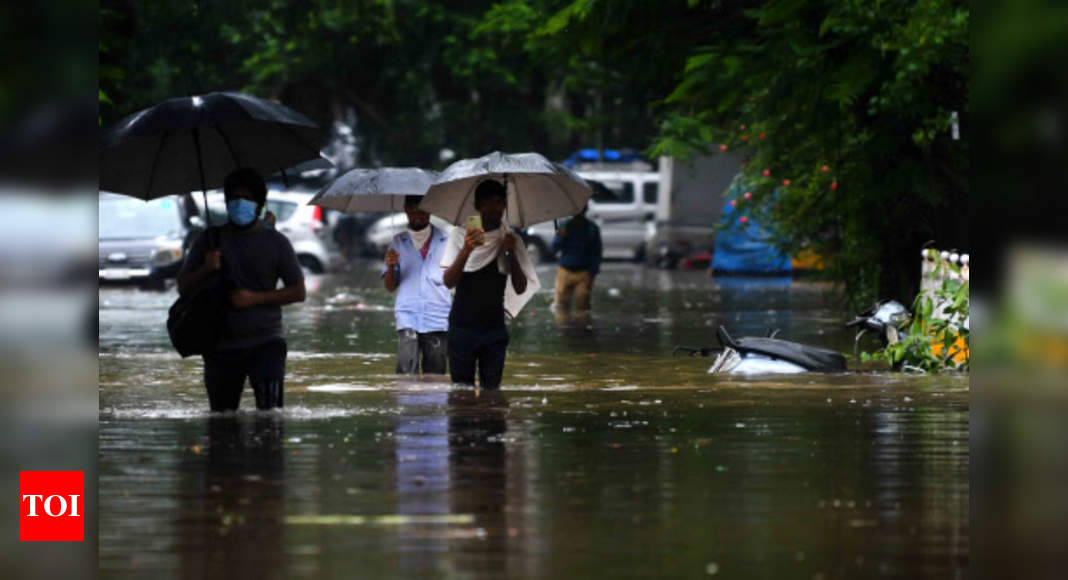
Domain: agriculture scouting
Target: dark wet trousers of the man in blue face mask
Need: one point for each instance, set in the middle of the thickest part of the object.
(226, 371)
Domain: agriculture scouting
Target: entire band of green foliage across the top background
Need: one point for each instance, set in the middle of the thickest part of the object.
(867, 89)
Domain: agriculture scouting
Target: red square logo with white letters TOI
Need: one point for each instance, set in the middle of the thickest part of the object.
(52, 506)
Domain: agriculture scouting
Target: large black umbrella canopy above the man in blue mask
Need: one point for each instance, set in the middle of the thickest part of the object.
(193, 144)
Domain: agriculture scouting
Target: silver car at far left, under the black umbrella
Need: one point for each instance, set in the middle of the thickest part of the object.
(144, 242)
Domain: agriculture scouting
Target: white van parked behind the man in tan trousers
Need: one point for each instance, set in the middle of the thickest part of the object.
(624, 206)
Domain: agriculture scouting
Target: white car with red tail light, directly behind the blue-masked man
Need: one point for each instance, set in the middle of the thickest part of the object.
(308, 227)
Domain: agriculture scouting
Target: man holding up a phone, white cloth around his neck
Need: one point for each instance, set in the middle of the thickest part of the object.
(493, 276)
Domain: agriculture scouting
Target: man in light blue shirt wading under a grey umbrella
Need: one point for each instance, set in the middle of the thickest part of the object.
(423, 302)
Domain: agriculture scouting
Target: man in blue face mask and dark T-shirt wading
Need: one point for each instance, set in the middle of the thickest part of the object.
(254, 258)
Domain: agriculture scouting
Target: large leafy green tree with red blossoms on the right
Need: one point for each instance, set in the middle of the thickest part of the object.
(851, 103)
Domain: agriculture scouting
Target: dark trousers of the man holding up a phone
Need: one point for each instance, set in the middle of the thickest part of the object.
(469, 348)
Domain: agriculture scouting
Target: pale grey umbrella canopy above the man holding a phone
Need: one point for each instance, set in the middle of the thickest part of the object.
(539, 191)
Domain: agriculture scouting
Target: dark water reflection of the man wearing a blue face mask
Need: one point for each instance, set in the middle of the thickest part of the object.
(232, 501)
